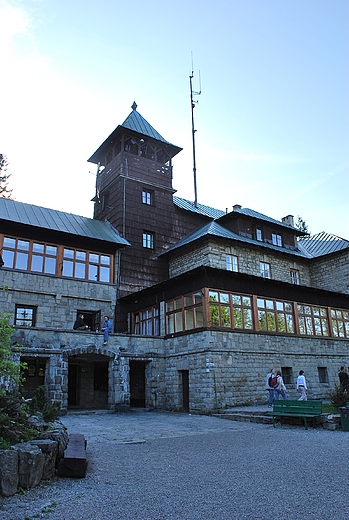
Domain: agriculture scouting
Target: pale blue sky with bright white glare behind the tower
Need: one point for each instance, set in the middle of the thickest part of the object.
(272, 120)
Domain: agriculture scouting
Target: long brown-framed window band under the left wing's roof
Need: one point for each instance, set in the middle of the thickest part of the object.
(39, 257)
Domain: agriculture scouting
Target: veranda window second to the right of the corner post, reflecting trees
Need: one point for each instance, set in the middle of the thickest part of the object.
(275, 315)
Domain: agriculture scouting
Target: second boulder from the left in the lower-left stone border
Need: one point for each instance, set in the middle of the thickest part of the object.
(31, 464)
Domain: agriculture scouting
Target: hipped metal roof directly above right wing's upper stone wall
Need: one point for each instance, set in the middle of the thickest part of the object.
(216, 230)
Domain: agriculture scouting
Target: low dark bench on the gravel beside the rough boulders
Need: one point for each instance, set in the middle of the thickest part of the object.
(74, 462)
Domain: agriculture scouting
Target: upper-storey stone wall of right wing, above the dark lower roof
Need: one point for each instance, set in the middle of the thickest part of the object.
(213, 254)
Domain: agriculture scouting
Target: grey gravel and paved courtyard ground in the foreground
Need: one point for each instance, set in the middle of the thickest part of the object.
(161, 466)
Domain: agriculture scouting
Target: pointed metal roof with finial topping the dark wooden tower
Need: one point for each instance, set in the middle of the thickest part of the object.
(136, 123)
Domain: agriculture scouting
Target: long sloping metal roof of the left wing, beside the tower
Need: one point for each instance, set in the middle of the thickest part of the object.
(54, 220)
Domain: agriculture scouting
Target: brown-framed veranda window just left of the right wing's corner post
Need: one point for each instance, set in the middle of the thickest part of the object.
(184, 313)
